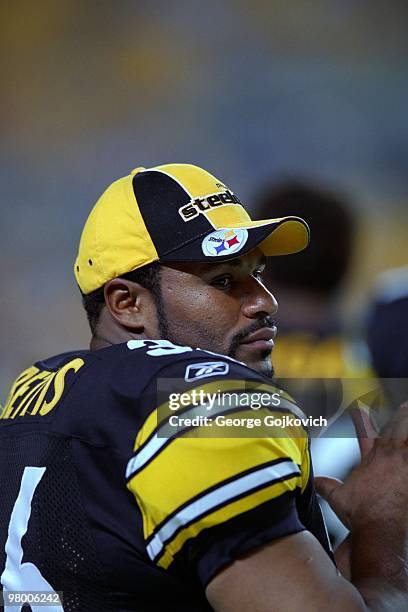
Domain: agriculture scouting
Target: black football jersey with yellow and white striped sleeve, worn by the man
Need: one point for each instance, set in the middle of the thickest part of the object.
(104, 503)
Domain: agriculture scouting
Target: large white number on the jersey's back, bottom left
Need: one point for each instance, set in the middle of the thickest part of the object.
(19, 576)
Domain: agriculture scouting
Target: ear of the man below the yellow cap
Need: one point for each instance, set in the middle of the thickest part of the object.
(129, 304)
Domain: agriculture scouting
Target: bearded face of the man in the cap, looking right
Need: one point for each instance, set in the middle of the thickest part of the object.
(222, 307)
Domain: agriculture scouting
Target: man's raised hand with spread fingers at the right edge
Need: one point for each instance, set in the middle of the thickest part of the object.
(373, 504)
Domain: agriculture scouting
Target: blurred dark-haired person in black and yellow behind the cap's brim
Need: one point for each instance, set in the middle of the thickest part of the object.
(313, 343)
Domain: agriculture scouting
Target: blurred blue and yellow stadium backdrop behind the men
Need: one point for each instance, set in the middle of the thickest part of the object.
(251, 91)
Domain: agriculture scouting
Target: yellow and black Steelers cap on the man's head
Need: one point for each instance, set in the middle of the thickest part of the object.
(174, 212)
